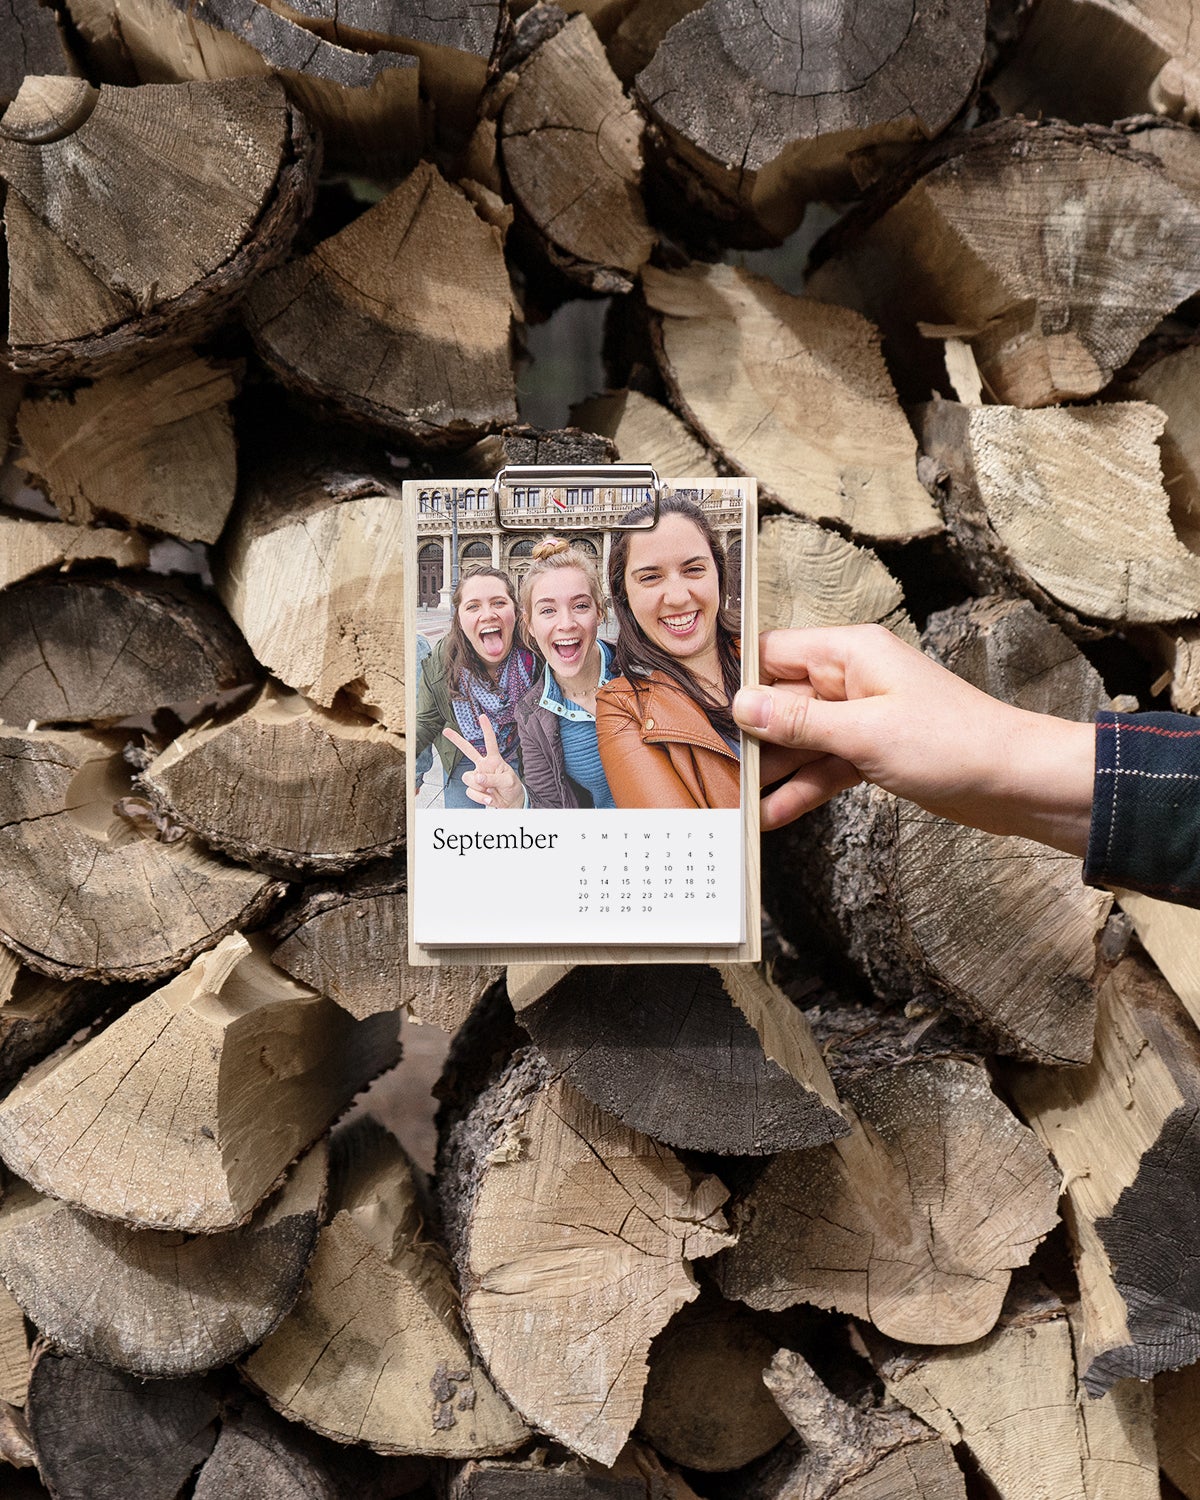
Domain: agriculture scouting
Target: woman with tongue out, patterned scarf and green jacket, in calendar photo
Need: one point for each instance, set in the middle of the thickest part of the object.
(473, 680)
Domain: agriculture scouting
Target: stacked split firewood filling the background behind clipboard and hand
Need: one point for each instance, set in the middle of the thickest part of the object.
(908, 1213)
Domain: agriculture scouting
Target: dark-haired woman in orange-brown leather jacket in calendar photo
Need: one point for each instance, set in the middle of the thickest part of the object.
(665, 724)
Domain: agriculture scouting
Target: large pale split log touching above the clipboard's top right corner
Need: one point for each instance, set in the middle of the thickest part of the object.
(748, 365)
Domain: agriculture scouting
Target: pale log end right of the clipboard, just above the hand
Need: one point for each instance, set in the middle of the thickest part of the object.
(812, 577)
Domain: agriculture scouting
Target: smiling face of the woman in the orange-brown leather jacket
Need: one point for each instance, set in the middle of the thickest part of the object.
(674, 590)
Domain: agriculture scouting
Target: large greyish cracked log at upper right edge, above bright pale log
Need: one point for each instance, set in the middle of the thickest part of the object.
(1045, 283)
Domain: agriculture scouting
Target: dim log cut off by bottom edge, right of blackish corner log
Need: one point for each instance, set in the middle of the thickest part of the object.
(260, 1457)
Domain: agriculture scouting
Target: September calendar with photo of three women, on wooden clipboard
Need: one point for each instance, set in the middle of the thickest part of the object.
(578, 788)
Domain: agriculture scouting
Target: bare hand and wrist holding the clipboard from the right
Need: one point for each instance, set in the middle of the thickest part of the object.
(854, 704)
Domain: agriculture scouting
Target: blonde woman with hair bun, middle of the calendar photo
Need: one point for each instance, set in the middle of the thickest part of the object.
(562, 611)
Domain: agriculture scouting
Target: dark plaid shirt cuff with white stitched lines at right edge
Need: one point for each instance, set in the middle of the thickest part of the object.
(1145, 832)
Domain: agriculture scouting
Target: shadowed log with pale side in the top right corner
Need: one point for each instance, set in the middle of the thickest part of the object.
(1142, 59)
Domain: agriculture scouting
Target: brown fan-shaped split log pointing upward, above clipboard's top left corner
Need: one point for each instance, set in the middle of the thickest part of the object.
(386, 328)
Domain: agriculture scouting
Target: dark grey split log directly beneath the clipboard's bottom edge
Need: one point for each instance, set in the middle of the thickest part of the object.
(700, 1058)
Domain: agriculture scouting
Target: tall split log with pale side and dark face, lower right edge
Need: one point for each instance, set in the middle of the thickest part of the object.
(1127, 1132)
